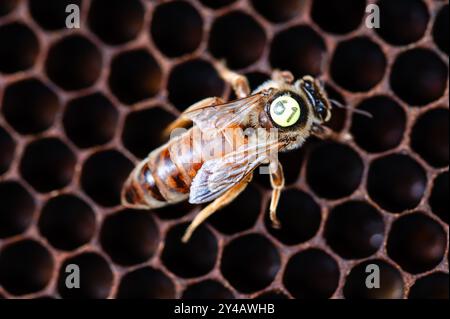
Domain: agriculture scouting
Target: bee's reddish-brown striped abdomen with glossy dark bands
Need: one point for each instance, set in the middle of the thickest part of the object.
(165, 176)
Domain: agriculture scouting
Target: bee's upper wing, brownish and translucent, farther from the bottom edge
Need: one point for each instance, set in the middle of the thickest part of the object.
(219, 117)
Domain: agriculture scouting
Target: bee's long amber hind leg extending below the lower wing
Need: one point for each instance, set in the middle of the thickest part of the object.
(217, 204)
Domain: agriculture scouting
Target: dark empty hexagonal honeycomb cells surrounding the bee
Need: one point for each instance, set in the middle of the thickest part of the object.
(80, 107)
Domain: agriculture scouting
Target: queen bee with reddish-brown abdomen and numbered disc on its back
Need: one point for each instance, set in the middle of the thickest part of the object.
(180, 170)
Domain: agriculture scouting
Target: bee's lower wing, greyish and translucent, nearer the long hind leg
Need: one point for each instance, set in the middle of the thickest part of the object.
(218, 175)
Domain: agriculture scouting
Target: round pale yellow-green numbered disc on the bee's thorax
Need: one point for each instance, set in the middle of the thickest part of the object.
(285, 111)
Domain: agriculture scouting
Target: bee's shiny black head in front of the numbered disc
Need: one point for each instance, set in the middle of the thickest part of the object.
(317, 98)
